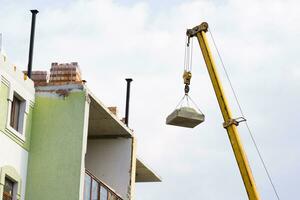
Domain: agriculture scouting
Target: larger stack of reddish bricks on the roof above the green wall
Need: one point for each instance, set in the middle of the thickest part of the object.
(65, 73)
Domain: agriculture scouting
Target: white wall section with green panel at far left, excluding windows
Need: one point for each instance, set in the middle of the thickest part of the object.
(14, 147)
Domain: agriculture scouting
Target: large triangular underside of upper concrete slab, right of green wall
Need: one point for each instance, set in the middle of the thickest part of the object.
(103, 123)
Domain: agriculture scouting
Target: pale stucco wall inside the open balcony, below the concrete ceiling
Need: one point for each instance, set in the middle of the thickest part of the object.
(110, 161)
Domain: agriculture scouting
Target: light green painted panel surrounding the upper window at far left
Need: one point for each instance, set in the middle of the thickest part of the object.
(4, 91)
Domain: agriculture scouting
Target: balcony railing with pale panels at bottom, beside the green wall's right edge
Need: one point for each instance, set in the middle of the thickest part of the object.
(94, 189)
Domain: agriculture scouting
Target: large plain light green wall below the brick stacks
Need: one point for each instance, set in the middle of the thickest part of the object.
(55, 159)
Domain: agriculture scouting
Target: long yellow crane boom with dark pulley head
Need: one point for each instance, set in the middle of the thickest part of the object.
(230, 124)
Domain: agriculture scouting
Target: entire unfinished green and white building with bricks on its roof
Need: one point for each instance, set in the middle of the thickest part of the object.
(58, 141)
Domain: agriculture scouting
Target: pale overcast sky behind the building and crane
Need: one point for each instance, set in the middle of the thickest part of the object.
(111, 40)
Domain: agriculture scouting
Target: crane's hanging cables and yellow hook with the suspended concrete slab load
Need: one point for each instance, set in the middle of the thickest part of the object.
(186, 116)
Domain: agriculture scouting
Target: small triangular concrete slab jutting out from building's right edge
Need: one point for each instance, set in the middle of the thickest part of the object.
(144, 173)
